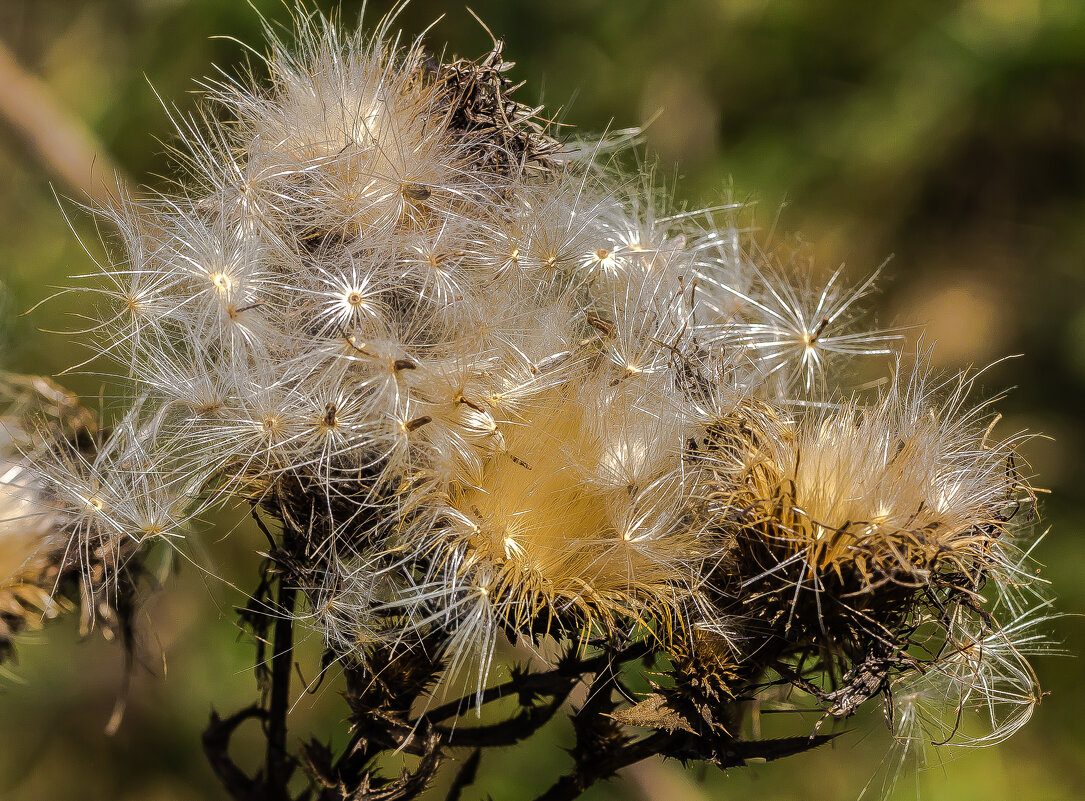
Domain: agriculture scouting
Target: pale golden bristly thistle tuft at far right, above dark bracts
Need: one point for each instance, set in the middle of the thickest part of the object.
(873, 499)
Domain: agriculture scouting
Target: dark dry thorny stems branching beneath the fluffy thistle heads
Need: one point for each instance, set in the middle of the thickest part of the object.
(382, 694)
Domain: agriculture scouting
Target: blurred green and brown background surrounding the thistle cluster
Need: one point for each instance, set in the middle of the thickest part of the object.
(948, 135)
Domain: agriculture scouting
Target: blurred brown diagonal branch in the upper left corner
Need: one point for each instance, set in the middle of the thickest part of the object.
(66, 146)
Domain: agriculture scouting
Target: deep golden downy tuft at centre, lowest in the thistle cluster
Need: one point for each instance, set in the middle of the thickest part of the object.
(557, 543)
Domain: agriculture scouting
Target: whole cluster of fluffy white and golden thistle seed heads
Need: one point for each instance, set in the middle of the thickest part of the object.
(488, 389)
